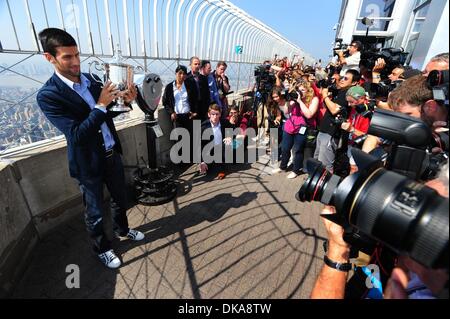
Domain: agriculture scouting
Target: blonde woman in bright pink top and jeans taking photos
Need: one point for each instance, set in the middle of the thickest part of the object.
(301, 107)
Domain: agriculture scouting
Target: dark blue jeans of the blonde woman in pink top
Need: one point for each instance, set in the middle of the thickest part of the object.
(297, 143)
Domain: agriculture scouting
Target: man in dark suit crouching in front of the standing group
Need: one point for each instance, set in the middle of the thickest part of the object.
(214, 148)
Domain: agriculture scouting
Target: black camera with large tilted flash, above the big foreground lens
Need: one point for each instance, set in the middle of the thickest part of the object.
(411, 145)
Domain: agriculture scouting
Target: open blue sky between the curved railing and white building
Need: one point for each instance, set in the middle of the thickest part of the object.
(306, 23)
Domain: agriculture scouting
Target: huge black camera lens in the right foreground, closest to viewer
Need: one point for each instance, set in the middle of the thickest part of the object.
(384, 207)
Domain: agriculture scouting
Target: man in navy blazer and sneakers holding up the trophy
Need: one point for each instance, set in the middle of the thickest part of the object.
(78, 106)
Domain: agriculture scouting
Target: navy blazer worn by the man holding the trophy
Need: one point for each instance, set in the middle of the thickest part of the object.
(66, 110)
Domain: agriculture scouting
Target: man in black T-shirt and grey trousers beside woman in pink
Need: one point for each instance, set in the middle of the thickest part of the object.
(330, 127)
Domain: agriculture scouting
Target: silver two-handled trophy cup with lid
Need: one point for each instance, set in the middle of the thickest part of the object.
(120, 74)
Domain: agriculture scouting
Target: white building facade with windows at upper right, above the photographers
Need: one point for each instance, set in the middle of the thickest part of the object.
(420, 27)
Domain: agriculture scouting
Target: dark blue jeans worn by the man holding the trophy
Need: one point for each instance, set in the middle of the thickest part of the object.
(92, 192)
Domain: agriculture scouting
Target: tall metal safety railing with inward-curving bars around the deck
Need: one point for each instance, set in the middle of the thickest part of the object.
(155, 34)
